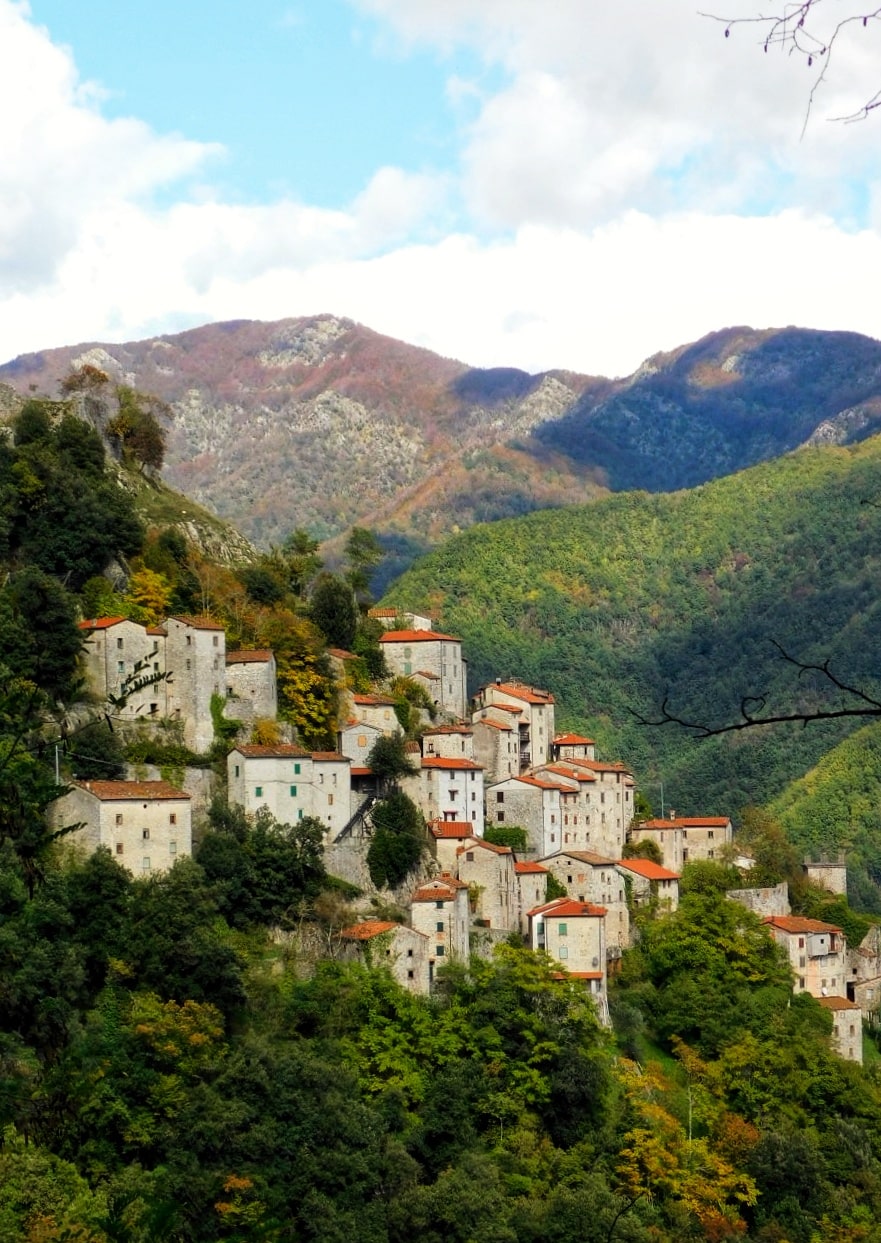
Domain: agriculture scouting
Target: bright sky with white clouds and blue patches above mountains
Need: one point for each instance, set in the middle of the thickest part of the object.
(524, 183)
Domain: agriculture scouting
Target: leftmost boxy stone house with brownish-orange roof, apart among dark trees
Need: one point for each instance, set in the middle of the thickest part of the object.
(145, 825)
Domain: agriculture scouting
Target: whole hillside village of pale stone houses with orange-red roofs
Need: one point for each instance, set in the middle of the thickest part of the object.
(496, 763)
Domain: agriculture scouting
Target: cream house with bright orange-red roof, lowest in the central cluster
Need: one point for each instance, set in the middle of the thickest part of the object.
(573, 934)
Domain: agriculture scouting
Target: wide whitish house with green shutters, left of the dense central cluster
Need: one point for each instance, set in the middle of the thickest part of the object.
(293, 784)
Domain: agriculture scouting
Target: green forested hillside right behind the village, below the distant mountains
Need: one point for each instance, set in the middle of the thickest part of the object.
(618, 606)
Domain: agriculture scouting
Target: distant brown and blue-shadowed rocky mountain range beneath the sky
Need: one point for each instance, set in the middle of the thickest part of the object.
(321, 423)
